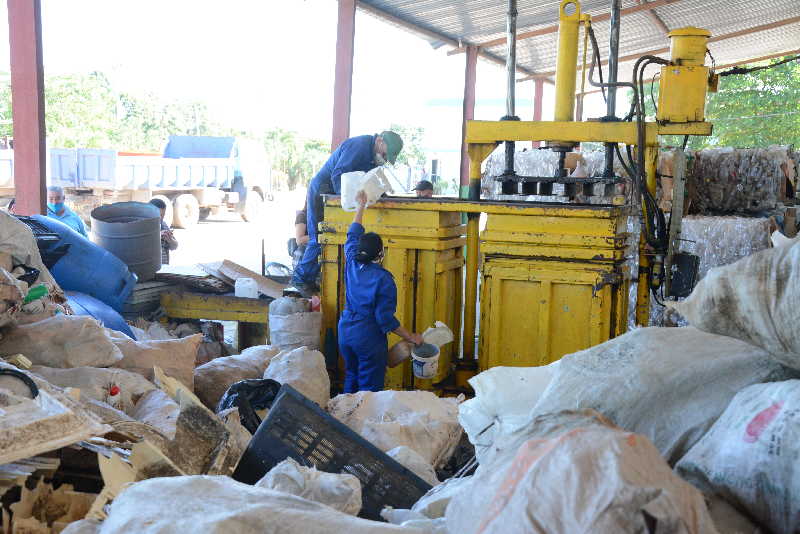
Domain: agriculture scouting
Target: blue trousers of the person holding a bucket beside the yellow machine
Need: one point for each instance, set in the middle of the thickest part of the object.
(365, 351)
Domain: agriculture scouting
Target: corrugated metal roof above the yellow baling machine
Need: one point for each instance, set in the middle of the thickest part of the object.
(479, 21)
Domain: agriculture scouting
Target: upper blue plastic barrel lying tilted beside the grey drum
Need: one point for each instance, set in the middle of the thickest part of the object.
(89, 268)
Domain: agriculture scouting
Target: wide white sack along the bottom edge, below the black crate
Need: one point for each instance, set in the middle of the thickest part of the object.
(220, 505)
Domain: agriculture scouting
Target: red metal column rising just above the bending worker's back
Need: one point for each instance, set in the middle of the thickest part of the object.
(343, 84)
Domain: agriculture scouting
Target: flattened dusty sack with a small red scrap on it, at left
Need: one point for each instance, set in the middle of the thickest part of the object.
(97, 383)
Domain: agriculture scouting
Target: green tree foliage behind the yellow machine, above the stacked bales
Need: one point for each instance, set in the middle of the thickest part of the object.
(751, 110)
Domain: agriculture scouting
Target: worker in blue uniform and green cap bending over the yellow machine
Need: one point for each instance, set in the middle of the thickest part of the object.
(361, 153)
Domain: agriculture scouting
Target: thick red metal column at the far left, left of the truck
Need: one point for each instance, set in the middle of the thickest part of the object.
(27, 95)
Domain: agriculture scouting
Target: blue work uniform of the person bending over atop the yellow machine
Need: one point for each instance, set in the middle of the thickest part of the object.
(355, 154)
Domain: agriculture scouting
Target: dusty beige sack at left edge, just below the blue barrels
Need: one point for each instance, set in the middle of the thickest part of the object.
(62, 341)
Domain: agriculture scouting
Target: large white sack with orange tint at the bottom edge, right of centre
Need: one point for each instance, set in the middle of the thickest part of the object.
(590, 478)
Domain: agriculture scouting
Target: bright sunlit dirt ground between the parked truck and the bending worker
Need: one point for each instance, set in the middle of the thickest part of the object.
(226, 236)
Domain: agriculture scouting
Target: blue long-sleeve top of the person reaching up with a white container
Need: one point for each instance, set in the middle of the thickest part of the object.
(370, 291)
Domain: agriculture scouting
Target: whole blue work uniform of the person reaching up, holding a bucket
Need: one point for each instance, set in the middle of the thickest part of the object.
(368, 316)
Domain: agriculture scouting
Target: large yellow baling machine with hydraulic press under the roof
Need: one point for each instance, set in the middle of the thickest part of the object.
(551, 276)
